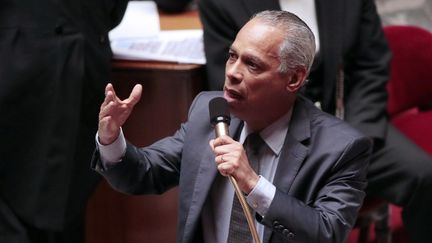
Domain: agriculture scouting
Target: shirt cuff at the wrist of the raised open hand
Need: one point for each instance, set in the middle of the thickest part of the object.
(112, 153)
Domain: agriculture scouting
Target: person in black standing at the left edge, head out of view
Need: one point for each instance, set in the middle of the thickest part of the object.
(54, 64)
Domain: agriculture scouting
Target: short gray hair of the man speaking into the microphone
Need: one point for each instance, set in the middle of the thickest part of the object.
(298, 47)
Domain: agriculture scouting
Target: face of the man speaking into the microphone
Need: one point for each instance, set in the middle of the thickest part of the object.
(253, 85)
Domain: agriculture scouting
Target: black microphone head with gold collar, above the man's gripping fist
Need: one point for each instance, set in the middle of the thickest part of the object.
(219, 116)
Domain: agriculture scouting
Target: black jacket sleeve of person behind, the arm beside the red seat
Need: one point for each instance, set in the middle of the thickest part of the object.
(366, 73)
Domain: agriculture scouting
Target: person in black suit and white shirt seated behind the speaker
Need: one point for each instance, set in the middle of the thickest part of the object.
(348, 78)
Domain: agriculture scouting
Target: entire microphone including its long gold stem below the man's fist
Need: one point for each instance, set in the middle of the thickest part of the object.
(220, 119)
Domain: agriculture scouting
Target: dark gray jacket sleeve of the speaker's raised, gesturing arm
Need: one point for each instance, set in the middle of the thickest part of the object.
(149, 170)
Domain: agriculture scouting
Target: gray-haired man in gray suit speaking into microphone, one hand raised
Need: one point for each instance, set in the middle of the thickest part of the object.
(309, 185)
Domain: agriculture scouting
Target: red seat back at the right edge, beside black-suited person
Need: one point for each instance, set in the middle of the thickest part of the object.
(410, 86)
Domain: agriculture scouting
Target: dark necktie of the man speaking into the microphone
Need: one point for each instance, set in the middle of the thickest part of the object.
(239, 229)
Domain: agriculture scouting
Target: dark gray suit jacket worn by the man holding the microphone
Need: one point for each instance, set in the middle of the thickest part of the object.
(320, 178)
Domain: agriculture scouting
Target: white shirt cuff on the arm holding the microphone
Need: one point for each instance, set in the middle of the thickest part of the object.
(261, 196)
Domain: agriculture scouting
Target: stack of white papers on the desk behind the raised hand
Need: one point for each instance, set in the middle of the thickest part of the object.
(138, 37)
